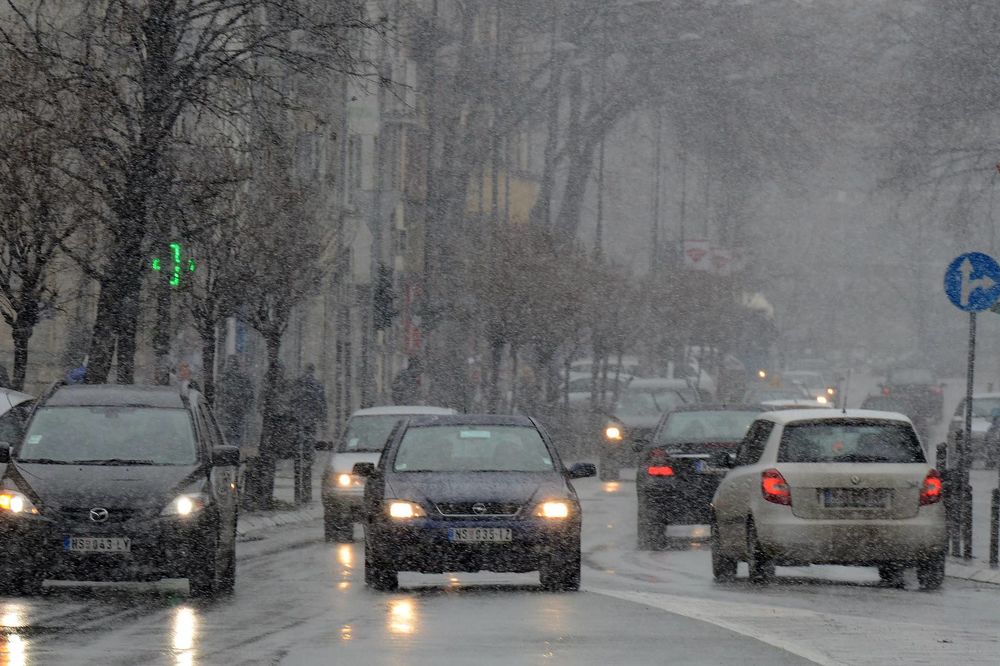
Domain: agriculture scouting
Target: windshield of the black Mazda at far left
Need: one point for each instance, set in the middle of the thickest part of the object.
(143, 435)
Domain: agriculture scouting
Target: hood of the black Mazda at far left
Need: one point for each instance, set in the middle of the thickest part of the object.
(133, 486)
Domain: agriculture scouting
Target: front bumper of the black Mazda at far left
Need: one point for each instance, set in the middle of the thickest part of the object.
(160, 548)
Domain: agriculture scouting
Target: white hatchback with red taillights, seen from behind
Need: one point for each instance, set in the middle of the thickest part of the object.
(830, 487)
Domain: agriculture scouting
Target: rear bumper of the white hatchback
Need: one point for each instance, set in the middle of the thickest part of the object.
(796, 540)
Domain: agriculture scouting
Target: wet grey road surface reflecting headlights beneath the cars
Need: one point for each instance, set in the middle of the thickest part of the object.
(302, 601)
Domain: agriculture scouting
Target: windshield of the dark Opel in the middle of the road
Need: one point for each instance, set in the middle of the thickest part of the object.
(472, 448)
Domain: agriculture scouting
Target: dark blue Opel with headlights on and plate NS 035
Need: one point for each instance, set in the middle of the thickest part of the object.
(471, 493)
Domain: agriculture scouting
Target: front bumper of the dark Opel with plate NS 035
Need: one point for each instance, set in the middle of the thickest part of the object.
(424, 546)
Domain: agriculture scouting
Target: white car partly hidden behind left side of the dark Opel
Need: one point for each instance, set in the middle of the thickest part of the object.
(363, 440)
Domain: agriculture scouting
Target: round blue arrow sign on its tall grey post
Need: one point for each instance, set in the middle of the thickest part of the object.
(972, 283)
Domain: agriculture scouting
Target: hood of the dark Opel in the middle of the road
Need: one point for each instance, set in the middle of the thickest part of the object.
(433, 487)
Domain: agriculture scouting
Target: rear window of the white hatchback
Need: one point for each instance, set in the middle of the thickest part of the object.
(850, 441)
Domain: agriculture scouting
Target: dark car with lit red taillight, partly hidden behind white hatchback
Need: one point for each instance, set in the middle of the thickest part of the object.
(680, 468)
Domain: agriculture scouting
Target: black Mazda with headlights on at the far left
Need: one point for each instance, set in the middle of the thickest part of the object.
(119, 483)
